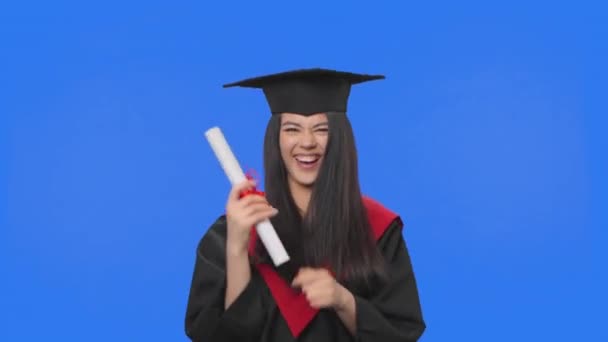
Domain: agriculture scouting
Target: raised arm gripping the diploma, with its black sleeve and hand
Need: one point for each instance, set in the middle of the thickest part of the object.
(224, 302)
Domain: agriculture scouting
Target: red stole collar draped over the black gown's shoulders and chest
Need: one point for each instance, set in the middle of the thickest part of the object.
(293, 304)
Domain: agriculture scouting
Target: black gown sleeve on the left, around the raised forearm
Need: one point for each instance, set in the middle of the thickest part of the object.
(206, 318)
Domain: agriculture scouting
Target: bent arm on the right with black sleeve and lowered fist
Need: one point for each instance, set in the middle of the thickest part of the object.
(391, 313)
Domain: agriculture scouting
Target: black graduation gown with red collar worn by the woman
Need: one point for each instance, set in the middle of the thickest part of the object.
(269, 310)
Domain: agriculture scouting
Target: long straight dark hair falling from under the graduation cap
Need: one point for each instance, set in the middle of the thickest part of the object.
(335, 231)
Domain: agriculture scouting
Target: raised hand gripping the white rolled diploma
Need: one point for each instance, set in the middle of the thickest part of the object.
(243, 213)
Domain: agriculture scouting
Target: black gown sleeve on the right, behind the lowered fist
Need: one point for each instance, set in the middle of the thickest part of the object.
(392, 312)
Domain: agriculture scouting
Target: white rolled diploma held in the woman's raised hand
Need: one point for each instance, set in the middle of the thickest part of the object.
(235, 174)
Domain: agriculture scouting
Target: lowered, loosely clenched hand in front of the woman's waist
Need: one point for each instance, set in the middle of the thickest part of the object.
(321, 289)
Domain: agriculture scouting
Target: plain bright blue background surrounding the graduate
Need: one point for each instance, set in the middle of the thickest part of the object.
(487, 136)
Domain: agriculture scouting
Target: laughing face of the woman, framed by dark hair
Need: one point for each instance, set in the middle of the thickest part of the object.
(302, 141)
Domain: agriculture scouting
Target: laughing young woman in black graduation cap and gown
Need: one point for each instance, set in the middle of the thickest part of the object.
(349, 277)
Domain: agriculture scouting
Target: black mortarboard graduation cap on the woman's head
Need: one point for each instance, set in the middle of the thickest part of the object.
(306, 91)
